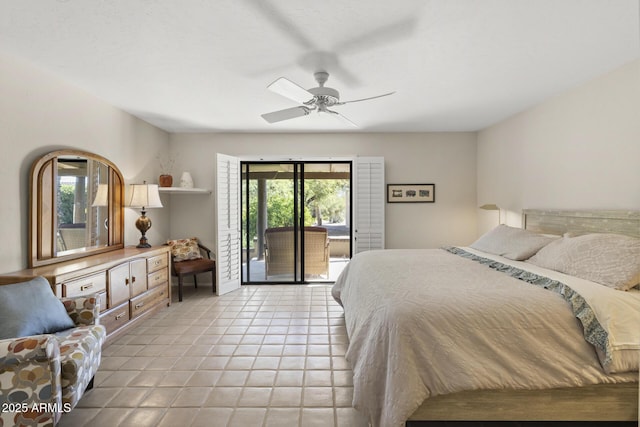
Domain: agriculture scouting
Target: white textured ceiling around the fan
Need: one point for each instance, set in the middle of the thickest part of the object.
(204, 65)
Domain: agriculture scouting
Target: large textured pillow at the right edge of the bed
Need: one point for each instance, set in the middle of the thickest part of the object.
(612, 260)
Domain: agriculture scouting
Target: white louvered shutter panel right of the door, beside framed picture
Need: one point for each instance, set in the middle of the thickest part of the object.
(369, 204)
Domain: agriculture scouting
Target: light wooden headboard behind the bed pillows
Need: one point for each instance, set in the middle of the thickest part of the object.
(582, 222)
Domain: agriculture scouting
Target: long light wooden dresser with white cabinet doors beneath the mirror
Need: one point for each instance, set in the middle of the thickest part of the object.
(132, 283)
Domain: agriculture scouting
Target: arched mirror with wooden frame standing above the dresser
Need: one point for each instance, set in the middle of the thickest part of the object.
(76, 207)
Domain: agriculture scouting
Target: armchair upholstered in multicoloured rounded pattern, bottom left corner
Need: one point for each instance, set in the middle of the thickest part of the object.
(43, 376)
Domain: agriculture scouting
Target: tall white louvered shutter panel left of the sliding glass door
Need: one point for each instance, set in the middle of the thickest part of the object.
(228, 224)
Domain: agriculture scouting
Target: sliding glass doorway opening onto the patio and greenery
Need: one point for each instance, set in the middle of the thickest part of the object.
(296, 221)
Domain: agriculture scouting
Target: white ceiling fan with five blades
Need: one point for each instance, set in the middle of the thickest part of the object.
(318, 99)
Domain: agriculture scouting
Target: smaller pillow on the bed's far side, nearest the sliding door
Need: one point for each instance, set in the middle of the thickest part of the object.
(510, 242)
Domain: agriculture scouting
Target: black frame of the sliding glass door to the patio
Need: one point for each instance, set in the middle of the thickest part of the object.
(298, 213)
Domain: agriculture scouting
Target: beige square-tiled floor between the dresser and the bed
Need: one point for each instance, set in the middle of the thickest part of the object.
(265, 355)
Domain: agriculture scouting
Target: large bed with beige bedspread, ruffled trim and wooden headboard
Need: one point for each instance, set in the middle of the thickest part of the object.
(469, 335)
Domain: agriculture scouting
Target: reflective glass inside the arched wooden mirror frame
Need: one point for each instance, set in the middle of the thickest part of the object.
(81, 215)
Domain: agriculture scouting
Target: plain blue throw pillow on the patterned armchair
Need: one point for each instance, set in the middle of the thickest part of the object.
(31, 308)
